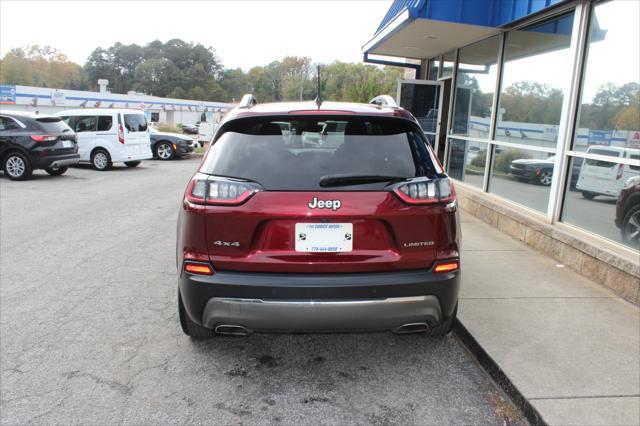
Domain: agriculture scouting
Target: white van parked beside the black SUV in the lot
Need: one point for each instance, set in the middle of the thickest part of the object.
(107, 136)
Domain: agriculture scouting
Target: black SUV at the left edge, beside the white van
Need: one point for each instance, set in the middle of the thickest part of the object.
(31, 141)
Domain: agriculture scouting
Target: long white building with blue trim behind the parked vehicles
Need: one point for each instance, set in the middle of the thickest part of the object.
(163, 110)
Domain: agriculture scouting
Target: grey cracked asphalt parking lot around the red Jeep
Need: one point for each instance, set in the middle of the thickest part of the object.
(90, 334)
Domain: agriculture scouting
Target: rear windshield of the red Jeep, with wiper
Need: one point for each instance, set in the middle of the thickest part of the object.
(292, 154)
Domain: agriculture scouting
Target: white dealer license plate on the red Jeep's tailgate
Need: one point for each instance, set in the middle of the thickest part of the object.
(324, 237)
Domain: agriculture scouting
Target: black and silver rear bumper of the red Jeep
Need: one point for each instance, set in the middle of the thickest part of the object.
(319, 302)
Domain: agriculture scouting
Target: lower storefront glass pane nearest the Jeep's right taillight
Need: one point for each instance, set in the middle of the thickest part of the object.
(467, 160)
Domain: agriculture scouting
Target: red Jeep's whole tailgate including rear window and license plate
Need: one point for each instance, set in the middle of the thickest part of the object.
(275, 202)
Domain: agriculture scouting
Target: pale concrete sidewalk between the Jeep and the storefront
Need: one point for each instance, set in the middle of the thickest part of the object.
(570, 346)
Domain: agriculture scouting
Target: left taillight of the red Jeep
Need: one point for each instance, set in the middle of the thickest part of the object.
(204, 189)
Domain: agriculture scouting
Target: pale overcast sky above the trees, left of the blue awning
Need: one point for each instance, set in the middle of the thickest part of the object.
(244, 33)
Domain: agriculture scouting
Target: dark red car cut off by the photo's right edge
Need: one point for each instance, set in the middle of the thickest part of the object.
(628, 212)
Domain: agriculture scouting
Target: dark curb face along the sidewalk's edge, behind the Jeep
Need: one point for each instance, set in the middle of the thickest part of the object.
(498, 375)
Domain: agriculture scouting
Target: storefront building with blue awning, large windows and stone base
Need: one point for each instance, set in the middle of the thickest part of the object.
(533, 108)
